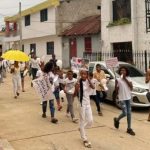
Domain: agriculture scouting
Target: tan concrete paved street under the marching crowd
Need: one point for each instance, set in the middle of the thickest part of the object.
(23, 127)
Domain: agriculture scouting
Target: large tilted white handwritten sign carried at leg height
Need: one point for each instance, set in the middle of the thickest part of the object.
(43, 88)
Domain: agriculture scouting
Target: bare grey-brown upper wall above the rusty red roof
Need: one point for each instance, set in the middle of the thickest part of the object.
(68, 13)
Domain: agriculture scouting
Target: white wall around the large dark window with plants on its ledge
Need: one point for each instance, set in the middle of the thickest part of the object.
(122, 33)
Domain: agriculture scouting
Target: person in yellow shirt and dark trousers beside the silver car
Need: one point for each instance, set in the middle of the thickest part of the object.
(99, 75)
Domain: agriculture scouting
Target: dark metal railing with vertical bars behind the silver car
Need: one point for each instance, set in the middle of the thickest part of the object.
(141, 59)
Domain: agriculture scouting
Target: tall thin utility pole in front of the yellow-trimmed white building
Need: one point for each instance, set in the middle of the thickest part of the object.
(20, 27)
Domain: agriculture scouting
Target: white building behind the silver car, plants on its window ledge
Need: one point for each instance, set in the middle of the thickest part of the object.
(124, 27)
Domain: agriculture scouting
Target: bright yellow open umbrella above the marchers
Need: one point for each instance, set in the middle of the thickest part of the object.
(15, 55)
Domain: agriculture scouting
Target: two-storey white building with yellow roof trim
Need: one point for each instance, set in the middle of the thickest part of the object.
(38, 31)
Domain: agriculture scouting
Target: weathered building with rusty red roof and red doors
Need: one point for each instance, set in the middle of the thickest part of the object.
(77, 40)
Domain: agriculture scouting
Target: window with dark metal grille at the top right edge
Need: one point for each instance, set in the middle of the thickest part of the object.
(147, 5)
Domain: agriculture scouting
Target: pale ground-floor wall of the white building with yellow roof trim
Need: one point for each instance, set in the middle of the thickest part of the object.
(41, 46)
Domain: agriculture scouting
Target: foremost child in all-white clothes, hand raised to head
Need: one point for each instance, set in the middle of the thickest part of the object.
(86, 118)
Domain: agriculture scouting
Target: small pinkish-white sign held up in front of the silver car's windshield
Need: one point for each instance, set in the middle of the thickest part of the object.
(112, 63)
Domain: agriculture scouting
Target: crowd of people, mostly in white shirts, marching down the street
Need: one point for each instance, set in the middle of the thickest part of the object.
(85, 86)
